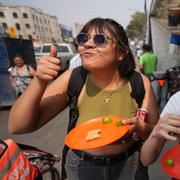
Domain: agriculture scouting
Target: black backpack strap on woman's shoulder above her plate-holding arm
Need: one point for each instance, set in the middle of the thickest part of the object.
(137, 85)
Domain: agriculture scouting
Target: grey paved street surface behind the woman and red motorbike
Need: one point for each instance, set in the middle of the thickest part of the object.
(51, 138)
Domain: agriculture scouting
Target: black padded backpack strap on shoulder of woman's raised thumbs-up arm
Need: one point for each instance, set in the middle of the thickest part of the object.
(76, 81)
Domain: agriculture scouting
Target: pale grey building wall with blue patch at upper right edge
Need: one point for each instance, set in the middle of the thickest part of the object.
(164, 32)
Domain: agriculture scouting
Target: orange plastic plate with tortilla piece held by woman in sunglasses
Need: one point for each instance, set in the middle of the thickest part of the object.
(76, 138)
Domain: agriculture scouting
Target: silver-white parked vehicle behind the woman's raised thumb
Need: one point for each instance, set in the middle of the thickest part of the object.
(64, 52)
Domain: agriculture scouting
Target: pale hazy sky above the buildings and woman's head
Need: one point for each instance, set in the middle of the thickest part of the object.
(81, 11)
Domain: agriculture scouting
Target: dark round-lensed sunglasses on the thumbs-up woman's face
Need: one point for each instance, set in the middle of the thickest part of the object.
(98, 39)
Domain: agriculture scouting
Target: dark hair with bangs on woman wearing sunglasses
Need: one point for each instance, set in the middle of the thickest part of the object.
(127, 65)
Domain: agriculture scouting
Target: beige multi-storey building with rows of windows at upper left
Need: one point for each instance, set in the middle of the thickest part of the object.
(29, 23)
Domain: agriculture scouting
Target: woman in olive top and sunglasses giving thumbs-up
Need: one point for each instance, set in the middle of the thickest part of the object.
(105, 53)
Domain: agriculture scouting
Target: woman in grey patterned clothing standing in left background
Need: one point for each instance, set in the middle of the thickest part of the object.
(20, 75)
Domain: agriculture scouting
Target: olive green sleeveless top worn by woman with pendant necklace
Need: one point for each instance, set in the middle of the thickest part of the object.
(97, 102)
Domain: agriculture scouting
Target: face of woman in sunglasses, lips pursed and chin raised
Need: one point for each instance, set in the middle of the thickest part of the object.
(94, 57)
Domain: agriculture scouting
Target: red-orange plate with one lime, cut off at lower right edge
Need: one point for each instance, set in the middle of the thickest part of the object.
(173, 171)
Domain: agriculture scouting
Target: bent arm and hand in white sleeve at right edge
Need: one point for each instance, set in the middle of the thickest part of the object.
(167, 128)
